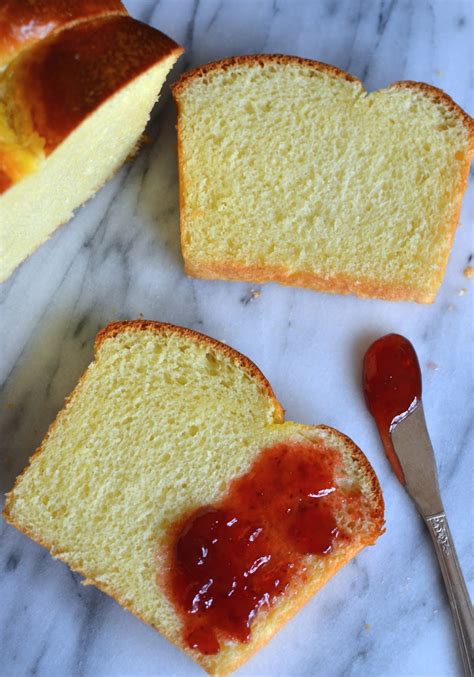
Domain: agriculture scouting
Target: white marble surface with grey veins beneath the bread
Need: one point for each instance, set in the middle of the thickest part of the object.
(386, 612)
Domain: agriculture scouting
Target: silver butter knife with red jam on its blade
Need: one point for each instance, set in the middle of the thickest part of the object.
(392, 390)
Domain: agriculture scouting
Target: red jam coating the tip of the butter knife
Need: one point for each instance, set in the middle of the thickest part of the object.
(392, 387)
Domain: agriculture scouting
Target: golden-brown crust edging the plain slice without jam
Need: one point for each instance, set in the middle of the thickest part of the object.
(337, 284)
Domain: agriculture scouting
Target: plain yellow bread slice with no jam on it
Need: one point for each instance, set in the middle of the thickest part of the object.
(291, 172)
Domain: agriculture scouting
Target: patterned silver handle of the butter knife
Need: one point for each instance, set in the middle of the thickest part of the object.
(458, 595)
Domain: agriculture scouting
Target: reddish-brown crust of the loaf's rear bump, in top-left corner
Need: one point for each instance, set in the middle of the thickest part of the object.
(22, 22)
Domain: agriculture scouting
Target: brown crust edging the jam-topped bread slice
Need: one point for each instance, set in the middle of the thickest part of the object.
(302, 593)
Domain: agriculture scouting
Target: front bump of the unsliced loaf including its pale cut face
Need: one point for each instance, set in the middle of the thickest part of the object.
(72, 109)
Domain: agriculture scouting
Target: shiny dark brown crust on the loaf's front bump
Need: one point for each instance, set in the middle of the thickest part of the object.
(66, 77)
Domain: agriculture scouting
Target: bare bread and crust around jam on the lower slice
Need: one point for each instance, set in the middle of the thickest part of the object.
(160, 424)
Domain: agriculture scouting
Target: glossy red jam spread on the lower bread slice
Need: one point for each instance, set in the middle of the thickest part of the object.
(237, 556)
